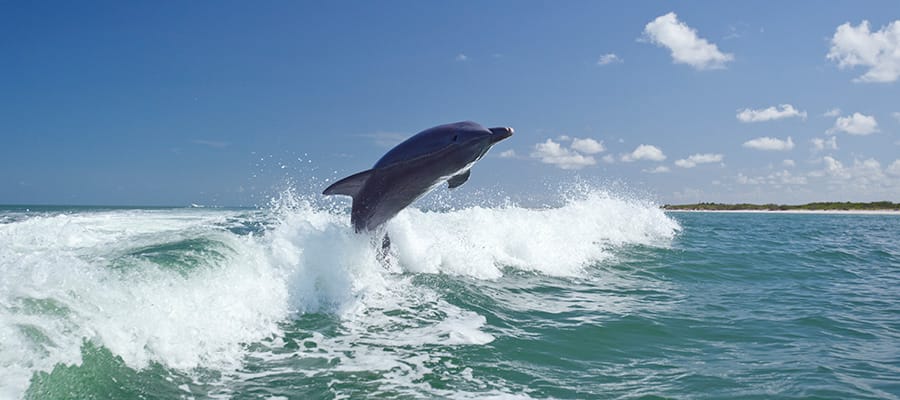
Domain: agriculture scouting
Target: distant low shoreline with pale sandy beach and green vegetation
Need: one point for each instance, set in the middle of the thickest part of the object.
(873, 208)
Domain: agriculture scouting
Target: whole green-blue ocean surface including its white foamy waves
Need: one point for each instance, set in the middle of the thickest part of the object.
(597, 297)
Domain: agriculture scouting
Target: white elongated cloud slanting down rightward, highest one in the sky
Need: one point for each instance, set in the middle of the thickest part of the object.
(686, 47)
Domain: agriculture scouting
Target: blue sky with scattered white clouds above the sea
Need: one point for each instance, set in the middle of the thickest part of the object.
(223, 103)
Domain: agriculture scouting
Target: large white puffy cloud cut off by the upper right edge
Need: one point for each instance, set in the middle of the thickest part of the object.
(858, 46)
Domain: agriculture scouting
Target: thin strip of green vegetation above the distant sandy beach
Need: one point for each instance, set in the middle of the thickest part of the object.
(879, 206)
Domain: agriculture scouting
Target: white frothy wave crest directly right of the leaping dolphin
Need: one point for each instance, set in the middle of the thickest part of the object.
(478, 241)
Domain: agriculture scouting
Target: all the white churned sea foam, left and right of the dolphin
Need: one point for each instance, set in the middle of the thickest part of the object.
(69, 278)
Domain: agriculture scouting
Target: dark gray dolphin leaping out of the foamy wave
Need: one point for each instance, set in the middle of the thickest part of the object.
(413, 168)
